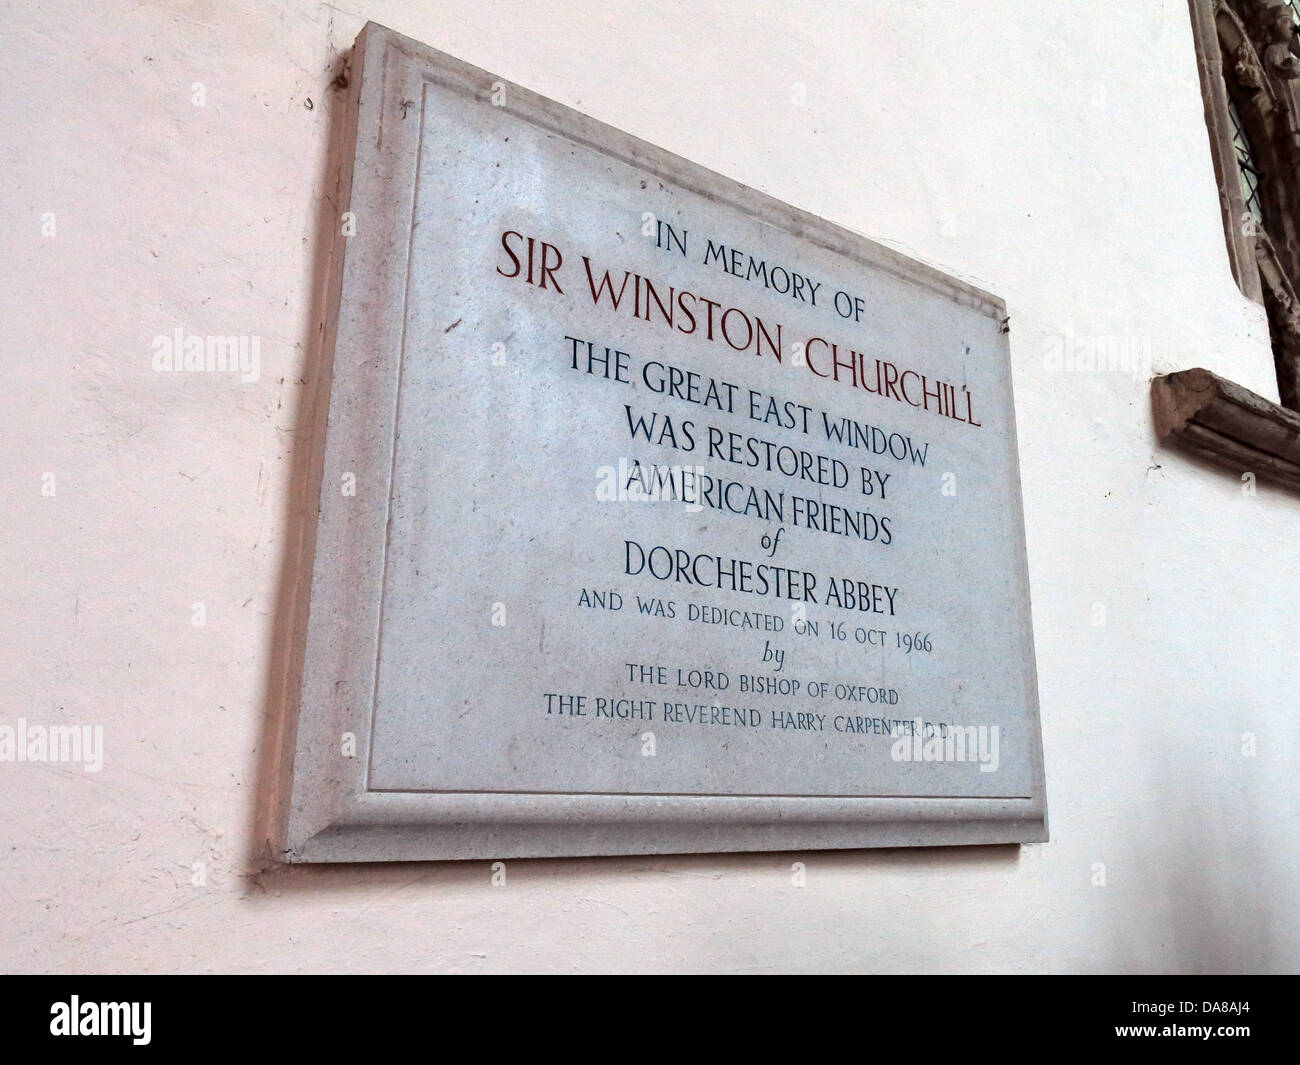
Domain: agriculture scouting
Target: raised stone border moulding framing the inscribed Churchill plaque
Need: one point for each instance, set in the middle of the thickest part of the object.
(326, 812)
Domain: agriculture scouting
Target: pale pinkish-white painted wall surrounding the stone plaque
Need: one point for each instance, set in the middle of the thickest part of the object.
(1055, 154)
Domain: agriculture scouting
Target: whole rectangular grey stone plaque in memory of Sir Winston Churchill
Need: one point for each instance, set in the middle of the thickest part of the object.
(656, 516)
